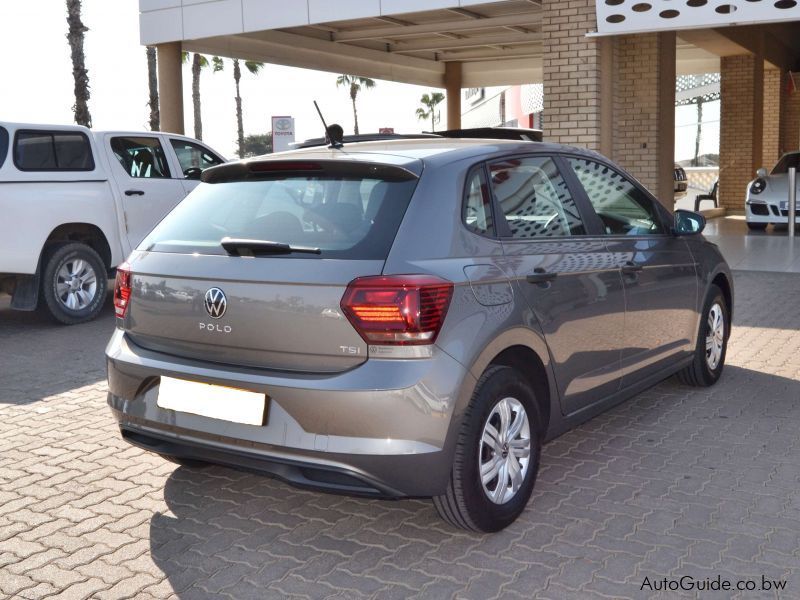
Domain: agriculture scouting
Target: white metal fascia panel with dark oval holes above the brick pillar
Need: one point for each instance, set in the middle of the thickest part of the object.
(628, 16)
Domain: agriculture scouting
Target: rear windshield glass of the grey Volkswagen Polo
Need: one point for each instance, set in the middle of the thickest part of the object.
(347, 217)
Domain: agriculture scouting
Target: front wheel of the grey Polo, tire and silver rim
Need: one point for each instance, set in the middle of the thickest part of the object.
(712, 342)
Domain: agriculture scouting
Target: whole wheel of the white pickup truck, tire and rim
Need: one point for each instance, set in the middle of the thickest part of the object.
(74, 283)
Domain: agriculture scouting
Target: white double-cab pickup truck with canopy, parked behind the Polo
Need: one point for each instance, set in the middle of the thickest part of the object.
(75, 202)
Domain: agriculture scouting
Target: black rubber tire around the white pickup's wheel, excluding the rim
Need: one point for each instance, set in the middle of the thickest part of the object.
(54, 260)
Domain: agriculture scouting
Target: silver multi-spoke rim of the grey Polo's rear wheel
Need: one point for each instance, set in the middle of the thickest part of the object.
(505, 451)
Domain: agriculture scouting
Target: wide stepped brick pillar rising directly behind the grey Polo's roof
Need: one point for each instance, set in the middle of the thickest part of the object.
(616, 96)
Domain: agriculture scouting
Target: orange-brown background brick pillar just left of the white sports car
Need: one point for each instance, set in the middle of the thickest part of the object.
(741, 127)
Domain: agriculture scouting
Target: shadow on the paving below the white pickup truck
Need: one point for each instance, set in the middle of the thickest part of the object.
(41, 358)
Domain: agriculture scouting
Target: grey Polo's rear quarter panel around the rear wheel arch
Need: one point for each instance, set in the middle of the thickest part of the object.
(432, 239)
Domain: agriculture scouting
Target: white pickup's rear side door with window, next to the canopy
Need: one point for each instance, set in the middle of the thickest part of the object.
(146, 184)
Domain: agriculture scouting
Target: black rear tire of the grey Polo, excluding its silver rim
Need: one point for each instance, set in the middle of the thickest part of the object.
(487, 515)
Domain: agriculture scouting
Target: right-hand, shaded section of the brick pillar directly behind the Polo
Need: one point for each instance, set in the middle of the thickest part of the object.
(644, 110)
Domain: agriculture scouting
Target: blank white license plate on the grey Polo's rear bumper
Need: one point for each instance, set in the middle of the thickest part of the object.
(213, 401)
